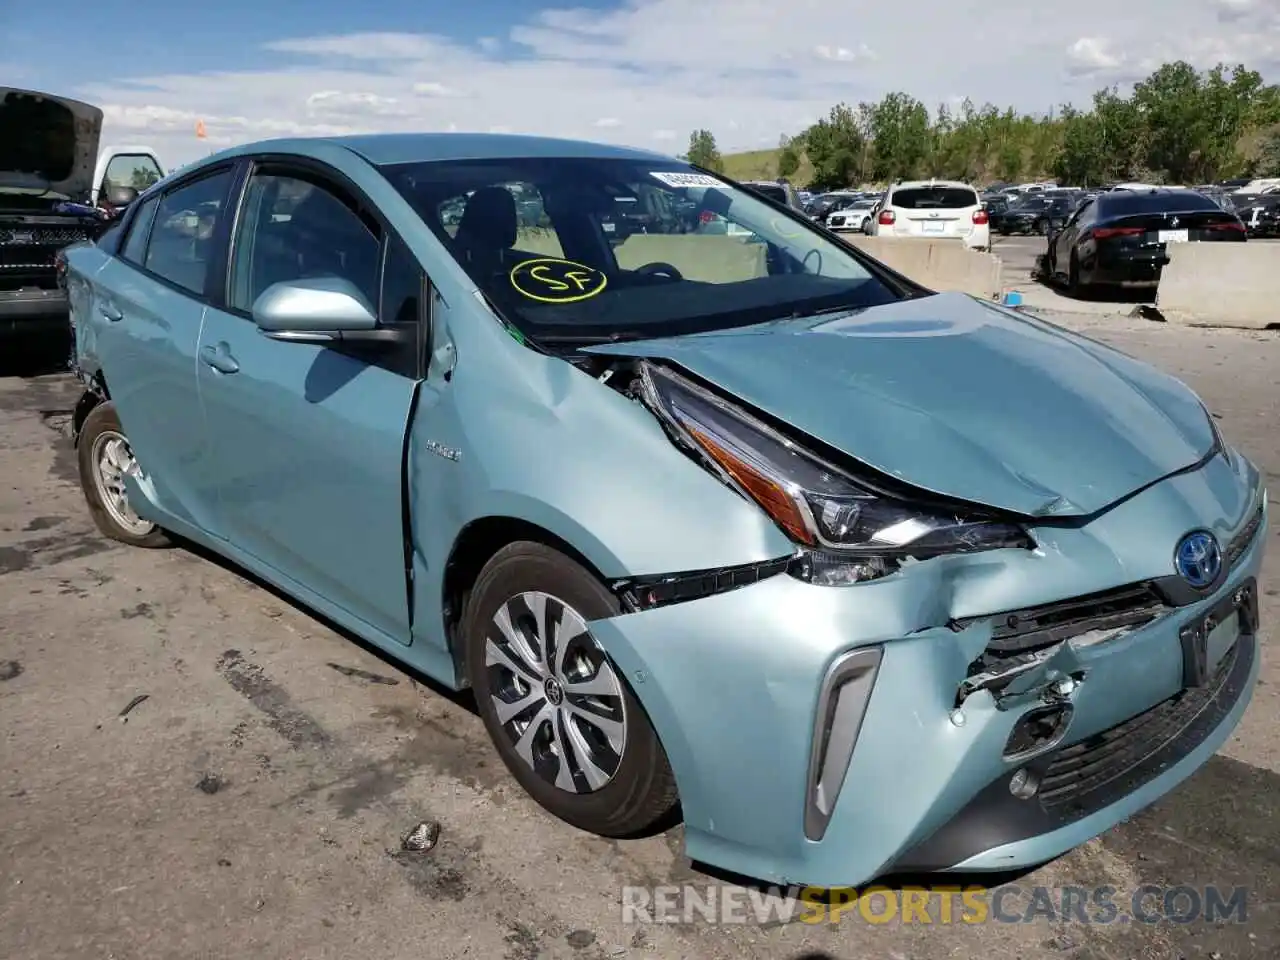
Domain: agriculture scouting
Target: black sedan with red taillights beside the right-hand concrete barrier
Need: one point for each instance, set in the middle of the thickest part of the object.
(1121, 239)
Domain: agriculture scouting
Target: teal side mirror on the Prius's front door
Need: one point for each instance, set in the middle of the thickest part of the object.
(322, 310)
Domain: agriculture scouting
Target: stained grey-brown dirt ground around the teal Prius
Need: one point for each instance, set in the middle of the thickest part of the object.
(253, 806)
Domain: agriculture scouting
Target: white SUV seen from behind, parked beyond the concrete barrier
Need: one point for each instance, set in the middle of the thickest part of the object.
(934, 211)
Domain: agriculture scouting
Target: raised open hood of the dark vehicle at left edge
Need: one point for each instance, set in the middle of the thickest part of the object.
(48, 143)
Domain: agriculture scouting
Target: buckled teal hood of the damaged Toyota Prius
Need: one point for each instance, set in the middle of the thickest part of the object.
(961, 399)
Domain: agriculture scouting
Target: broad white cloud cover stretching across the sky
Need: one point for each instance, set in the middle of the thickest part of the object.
(662, 68)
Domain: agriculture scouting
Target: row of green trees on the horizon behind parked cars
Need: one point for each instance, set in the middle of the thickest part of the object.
(1178, 126)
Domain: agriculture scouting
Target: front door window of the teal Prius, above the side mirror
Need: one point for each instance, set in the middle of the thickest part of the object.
(295, 230)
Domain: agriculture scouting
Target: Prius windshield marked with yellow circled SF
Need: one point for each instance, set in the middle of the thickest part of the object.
(606, 249)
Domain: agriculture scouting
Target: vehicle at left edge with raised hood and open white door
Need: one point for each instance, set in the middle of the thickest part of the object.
(57, 189)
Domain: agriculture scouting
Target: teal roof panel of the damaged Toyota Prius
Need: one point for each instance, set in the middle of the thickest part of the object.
(386, 149)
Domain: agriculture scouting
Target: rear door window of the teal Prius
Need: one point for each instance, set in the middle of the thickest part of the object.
(182, 236)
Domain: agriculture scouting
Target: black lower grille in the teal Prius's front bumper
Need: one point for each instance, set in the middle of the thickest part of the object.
(1084, 769)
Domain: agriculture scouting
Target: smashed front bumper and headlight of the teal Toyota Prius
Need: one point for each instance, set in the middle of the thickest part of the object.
(1016, 682)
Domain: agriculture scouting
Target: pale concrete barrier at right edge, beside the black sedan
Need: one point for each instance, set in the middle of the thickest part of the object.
(1222, 285)
